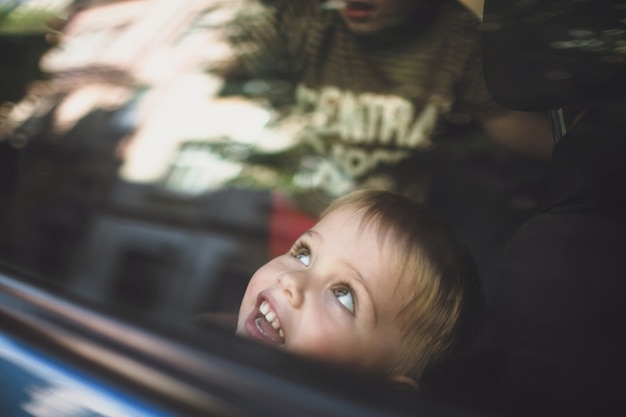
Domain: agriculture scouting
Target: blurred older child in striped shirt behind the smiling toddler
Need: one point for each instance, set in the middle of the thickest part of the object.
(377, 82)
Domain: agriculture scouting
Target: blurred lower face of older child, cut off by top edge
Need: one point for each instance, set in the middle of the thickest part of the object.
(368, 17)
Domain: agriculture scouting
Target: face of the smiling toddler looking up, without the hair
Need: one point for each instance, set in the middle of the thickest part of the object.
(333, 297)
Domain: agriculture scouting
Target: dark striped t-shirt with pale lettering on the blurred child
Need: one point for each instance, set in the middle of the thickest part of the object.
(373, 106)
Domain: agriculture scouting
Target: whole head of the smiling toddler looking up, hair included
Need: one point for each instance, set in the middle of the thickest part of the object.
(380, 284)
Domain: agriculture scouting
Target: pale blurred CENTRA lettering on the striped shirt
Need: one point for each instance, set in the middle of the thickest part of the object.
(356, 134)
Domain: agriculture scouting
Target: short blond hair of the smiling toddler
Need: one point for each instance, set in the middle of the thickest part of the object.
(446, 300)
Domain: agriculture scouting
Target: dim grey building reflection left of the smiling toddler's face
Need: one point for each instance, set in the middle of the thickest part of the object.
(154, 251)
